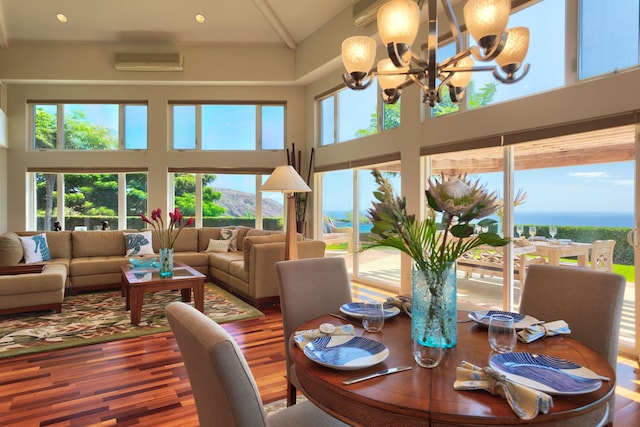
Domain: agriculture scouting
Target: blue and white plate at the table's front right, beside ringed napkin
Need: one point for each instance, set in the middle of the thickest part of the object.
(546, 373)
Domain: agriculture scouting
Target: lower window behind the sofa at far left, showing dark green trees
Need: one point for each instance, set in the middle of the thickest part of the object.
(89, 200)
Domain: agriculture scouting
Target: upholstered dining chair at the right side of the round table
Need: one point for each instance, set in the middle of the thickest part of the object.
(589, 301)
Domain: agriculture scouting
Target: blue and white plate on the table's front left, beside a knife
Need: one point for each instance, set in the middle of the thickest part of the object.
(346, 352)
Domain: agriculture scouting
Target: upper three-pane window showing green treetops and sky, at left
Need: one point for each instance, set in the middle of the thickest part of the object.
(91, 127)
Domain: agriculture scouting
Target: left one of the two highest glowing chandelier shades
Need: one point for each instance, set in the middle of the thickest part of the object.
(398, 21)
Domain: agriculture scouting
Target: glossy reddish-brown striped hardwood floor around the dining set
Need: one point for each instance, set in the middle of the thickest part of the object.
(142, 381)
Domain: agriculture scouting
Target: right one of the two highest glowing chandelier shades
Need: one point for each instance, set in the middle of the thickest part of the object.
(486, 17)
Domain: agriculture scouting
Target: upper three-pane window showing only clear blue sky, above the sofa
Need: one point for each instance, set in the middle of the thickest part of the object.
(239, 127)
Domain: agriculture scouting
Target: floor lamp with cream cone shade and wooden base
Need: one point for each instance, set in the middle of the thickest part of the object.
(285, 179)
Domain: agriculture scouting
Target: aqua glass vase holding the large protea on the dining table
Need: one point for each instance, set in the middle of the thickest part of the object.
(434, 302)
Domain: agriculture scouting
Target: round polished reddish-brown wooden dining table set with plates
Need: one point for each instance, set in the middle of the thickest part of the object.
(422, 396)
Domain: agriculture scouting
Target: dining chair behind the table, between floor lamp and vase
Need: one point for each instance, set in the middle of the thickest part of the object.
(309, 288)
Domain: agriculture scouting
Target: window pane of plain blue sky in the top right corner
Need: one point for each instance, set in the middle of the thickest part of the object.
(608, 36)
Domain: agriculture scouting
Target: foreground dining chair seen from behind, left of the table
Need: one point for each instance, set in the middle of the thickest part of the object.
(224, 389)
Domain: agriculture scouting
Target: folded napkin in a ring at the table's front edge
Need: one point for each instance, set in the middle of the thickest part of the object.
(525, 402)
